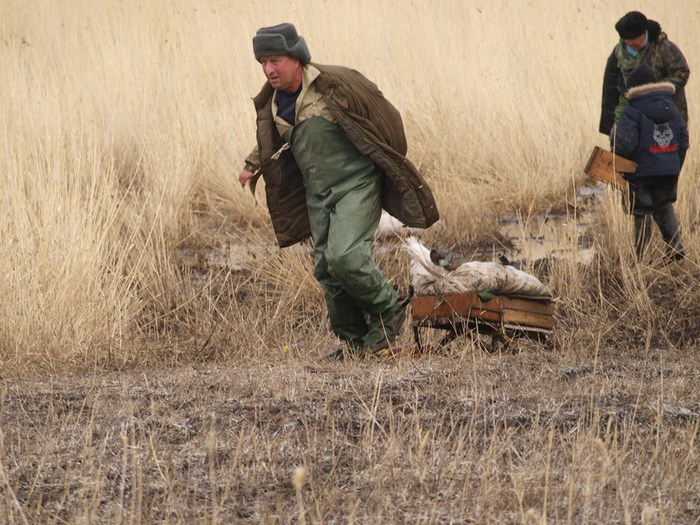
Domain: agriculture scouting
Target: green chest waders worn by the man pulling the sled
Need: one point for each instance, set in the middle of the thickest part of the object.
(343, 196)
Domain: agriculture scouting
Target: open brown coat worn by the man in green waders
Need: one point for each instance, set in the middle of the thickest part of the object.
(372, 124)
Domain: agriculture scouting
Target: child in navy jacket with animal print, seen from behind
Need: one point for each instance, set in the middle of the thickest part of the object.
(652, 133)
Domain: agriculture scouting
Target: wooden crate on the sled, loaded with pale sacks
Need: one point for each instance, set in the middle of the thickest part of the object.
(500, 317)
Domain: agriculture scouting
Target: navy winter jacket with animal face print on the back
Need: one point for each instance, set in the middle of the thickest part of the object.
(651, 132)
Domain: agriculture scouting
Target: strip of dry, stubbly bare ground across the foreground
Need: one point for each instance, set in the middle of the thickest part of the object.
(474, 437)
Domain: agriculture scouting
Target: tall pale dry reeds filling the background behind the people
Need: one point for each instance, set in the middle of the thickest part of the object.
(124, 125)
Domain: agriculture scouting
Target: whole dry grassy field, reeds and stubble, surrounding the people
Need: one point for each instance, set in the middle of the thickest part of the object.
(155, 344)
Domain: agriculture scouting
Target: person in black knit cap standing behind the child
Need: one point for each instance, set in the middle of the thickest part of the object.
(641, 41)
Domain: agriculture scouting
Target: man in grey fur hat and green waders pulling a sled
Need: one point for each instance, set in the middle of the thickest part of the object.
(332, 152)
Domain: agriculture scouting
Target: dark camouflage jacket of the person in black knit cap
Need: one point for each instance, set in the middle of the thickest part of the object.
(664, 57)
